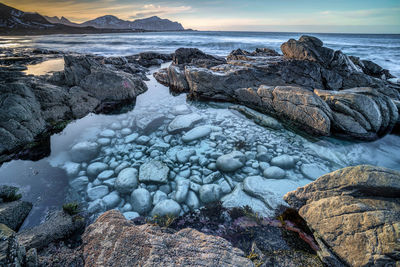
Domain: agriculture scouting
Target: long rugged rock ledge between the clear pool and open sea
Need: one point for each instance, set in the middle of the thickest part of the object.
(311, 87)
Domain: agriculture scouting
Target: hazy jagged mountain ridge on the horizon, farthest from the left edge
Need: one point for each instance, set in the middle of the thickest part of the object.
(149, 24)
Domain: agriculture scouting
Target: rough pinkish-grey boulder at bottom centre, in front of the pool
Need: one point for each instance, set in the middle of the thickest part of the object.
(113, 241)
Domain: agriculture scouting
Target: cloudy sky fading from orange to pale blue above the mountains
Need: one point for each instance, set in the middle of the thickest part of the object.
(345, 16)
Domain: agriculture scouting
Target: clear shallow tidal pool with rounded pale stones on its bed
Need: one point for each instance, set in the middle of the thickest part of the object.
(143, 135)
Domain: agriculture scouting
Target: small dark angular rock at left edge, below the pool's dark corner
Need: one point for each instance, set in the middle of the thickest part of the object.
(14, 213)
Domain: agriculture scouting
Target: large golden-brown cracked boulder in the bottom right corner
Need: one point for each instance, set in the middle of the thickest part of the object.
(355, 212)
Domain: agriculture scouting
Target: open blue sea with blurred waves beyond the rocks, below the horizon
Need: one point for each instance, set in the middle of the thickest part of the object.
(383, 49)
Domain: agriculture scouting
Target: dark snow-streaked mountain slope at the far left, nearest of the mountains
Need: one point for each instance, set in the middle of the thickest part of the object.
(17, 19)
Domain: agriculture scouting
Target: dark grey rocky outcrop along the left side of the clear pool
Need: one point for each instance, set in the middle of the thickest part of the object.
(31, 107)
